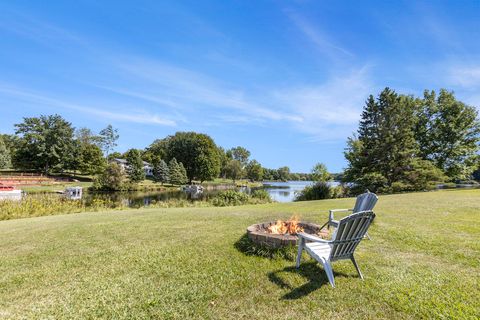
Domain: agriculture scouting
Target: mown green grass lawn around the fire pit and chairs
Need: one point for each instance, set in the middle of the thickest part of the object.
(423, 262)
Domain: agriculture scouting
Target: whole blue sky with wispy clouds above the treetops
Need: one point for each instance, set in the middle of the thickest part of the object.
(285, 79)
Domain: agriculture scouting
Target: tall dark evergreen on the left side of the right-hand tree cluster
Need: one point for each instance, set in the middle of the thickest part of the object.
(386, 156)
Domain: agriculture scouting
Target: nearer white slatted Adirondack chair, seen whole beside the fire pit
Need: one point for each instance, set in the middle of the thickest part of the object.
(347, 236)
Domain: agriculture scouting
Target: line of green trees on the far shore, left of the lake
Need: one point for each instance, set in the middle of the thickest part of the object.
(50, 144)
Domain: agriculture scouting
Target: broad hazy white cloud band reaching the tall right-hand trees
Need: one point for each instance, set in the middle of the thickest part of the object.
(326, 111)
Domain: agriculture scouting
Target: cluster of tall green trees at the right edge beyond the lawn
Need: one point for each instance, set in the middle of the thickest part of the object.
(407, 143)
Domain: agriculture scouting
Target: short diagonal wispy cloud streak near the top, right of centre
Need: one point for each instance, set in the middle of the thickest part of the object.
(320, 39)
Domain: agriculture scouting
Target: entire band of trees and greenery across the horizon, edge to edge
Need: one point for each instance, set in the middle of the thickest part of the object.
(403, 144)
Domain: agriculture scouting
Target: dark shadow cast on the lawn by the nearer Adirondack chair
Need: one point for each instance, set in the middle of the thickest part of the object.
(311, 271)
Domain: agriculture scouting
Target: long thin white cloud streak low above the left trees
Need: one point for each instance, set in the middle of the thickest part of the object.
(133, 116)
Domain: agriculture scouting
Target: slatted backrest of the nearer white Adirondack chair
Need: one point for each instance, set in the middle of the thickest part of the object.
(350, 232)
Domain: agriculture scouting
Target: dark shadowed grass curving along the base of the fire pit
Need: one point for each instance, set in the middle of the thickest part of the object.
(249, 248)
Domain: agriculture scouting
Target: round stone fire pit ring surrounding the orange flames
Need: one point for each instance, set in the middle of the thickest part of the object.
(258, 234)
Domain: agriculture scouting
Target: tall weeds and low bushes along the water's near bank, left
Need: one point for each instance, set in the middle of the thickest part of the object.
(51, 204)
